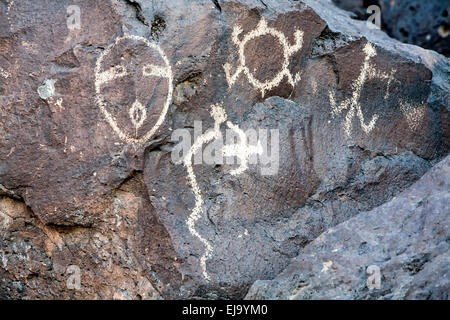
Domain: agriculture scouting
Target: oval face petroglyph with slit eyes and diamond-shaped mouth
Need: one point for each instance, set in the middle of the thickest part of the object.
(133, 85)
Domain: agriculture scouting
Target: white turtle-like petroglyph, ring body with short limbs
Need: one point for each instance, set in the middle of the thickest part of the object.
(288, 50)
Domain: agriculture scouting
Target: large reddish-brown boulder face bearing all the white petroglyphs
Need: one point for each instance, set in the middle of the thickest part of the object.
(78, 191)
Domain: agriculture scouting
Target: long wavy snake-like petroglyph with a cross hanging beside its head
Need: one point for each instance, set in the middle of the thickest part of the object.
(241, 149)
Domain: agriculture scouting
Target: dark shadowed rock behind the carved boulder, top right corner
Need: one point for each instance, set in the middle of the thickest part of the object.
(423, 23)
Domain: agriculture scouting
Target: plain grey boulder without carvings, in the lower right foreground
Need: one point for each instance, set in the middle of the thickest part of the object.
(408, 238)
